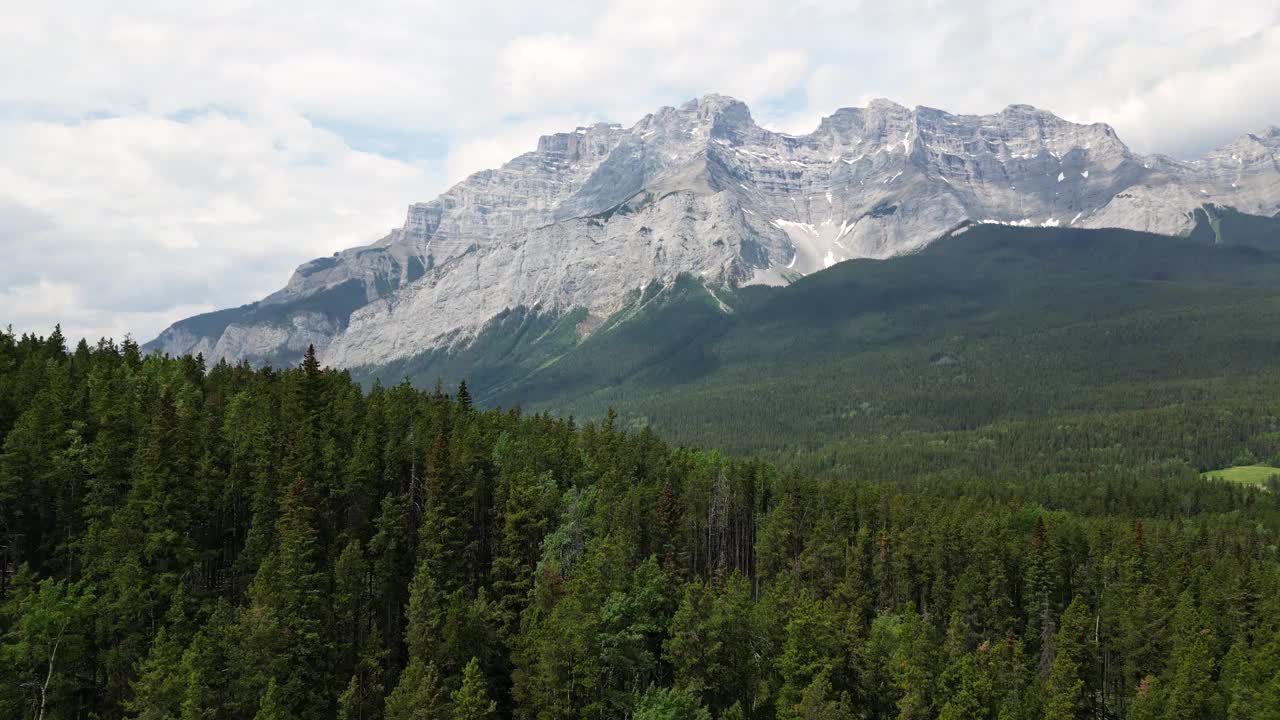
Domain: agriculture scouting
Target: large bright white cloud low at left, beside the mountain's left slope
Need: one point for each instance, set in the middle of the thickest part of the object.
(145, 217)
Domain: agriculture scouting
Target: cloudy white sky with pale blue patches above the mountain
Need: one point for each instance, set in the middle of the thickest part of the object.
(162, 160)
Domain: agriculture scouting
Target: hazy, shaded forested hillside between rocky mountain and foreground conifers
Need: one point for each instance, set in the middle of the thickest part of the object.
(1031, 356)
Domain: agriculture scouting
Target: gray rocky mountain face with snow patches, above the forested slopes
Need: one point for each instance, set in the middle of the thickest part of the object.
(593, 215)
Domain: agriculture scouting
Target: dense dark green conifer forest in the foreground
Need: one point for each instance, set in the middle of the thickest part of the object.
(223, 543)
